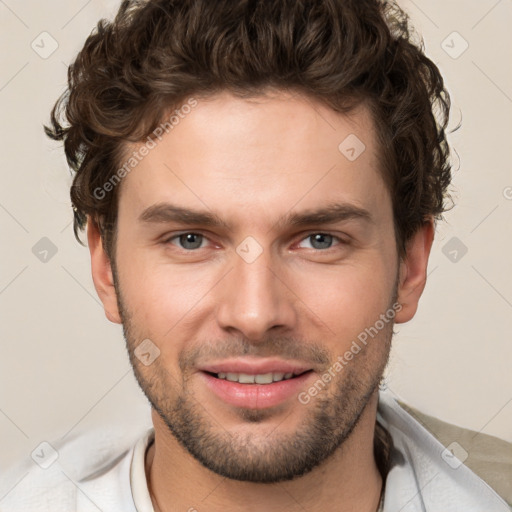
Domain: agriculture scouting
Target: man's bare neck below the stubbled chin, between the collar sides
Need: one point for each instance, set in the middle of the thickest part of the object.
(348, 481)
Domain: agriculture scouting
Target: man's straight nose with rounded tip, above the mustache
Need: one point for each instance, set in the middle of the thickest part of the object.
(254, 298)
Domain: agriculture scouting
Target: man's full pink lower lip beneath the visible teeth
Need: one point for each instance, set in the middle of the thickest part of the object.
(256, 396)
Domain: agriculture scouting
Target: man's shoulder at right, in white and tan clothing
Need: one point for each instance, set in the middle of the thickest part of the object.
(436, 464)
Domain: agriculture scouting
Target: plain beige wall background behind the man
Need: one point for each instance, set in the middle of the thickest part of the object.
(63, 366)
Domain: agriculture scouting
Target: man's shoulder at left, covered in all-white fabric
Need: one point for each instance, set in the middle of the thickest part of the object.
(86, 472)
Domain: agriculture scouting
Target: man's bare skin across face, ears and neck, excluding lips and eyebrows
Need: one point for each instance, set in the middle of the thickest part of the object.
(252, 162)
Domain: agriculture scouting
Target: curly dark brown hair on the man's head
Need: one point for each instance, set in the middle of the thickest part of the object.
(343, 53)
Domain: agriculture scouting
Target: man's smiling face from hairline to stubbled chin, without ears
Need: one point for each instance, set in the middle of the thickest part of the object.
(257, 289)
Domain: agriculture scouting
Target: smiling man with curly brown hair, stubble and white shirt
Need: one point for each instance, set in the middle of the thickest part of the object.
(293, 145)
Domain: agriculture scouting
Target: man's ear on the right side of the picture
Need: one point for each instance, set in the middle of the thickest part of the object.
(413, 271)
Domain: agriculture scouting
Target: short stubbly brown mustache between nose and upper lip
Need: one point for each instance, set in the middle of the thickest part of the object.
(283, 347)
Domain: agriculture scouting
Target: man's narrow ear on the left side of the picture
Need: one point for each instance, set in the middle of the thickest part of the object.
(102, 272)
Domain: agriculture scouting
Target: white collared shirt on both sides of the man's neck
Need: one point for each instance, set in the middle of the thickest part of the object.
(102, 470)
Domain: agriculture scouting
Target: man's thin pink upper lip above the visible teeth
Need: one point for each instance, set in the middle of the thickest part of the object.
(256, 367)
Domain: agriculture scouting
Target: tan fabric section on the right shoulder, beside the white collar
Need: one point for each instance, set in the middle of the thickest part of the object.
(488, 457)
